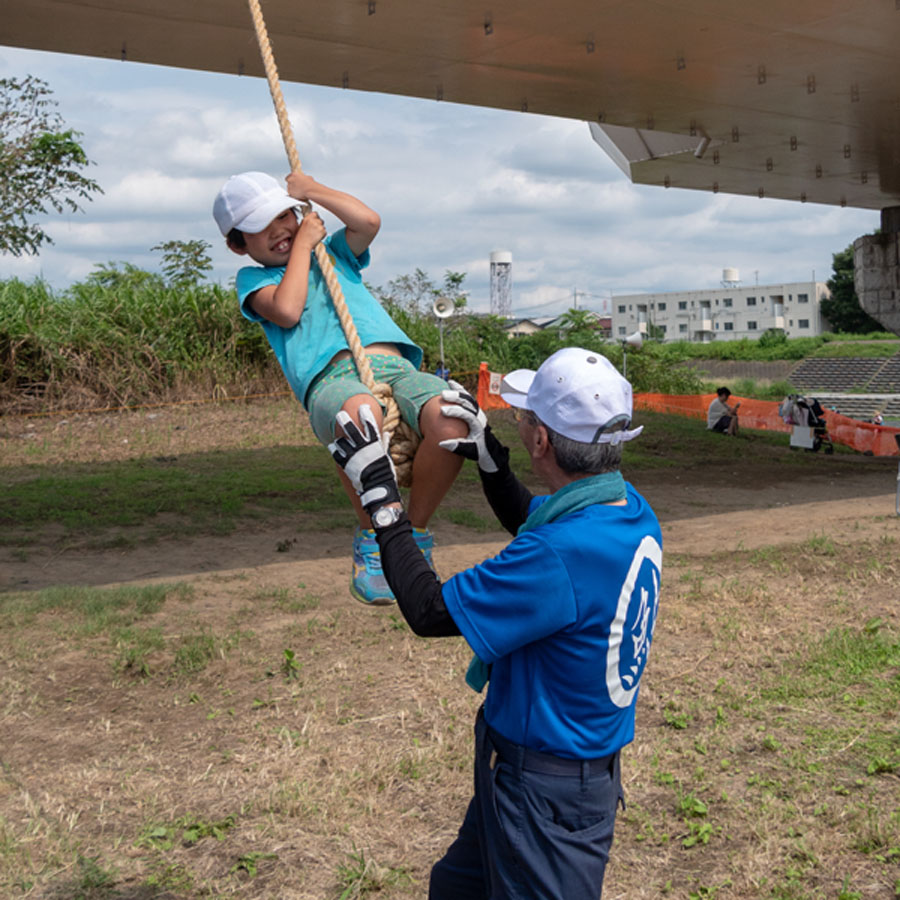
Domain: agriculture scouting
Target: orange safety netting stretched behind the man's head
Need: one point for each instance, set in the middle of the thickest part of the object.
(763, 415)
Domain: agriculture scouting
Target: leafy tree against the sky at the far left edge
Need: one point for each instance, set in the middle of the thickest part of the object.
(40, 164)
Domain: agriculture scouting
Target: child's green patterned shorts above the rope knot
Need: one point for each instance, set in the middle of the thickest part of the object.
(337, 383)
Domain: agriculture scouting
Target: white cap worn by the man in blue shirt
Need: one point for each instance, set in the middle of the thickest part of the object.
(577, 393)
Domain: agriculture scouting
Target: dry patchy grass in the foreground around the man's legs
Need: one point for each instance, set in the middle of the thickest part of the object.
(765, 765)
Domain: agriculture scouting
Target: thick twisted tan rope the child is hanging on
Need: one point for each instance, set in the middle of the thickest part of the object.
(404, 439)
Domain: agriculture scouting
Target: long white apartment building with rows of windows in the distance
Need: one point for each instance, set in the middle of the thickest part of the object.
(725, 313)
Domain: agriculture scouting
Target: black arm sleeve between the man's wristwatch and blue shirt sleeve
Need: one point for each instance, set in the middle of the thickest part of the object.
(413, 581)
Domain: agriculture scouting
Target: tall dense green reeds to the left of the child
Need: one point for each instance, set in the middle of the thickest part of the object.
(117, 341)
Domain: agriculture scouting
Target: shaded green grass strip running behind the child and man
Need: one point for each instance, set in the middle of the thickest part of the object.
(120, 503)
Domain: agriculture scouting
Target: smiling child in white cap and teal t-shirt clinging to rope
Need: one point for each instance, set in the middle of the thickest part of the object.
(286, 293)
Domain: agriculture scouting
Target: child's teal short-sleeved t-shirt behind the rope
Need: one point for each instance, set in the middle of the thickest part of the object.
(304, 350)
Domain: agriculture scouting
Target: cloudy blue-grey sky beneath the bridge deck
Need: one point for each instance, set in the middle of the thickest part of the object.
(452, 183)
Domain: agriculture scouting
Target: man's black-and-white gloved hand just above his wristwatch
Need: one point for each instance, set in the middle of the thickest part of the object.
(363, 456)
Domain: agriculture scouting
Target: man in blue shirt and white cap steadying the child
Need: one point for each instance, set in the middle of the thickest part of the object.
(560, 621)
